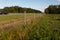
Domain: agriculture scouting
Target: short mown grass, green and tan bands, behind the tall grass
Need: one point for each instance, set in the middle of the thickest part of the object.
(11, 19)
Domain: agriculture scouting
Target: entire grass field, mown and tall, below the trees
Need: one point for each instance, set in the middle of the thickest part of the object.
(40, 27)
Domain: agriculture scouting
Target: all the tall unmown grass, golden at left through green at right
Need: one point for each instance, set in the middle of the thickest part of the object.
(46, 27)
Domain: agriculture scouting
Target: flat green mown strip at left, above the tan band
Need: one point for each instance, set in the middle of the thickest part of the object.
(12, 16)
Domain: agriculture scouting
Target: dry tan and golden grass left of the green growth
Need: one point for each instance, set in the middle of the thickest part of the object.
(15, 29)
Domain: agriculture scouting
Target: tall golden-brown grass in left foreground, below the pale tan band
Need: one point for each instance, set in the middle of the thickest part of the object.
(17, 32)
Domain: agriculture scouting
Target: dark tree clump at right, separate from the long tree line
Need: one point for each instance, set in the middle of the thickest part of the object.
(53, 9)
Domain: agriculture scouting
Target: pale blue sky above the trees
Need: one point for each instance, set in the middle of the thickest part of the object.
(35, 4)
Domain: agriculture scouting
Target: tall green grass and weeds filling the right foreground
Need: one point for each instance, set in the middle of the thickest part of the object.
(48, 28)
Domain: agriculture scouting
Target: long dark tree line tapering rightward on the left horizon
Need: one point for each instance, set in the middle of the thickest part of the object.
(17, 9)
